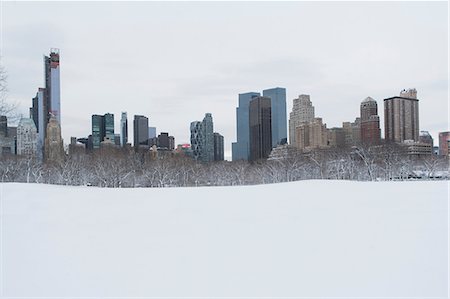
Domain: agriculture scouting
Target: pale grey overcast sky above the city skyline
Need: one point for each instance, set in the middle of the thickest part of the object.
(176, 61)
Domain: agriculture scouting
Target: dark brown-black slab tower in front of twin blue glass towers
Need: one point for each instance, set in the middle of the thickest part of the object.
(260, 125)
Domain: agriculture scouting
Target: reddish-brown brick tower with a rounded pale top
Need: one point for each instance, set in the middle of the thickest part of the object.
(370, 122)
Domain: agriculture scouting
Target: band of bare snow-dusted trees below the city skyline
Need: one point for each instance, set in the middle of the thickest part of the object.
(120, 168)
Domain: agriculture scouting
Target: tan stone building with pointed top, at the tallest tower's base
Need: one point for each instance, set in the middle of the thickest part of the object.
(54, 150)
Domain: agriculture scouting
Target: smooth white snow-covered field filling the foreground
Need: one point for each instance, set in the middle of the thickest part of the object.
(308, 238)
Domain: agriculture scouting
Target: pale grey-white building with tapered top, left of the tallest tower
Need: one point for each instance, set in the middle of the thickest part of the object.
(26, 137)
